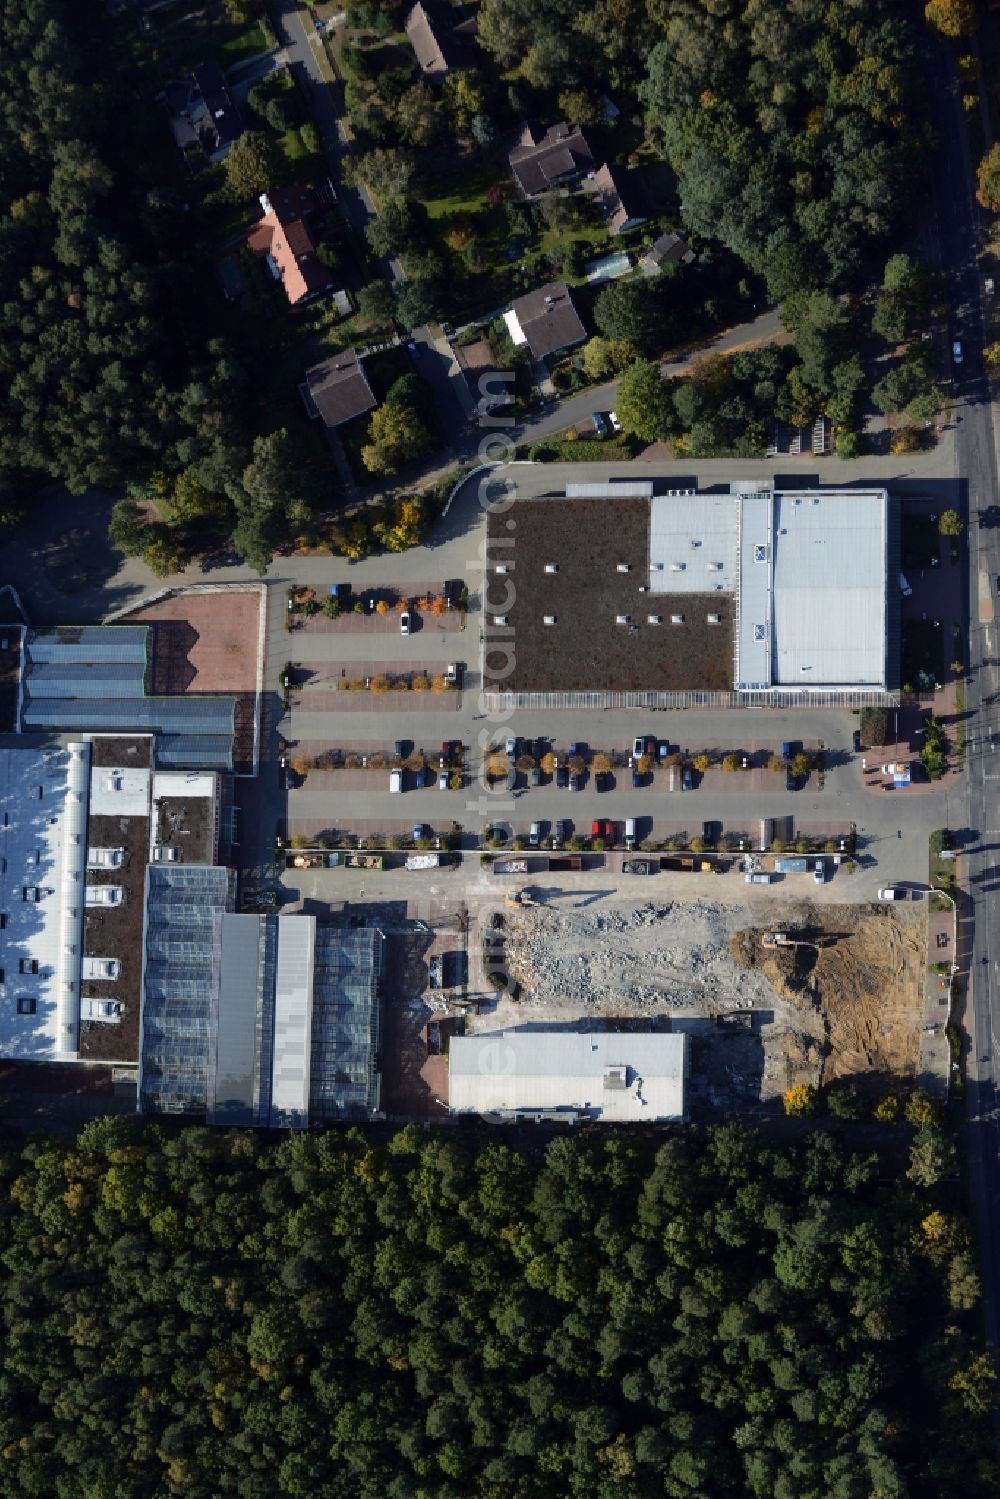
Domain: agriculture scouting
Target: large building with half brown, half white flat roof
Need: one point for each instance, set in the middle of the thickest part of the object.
(746, 596)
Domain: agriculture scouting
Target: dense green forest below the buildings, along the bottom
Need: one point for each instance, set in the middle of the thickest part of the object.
(445, 1317)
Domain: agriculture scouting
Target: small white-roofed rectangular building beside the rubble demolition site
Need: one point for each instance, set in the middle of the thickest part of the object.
(570, 1076)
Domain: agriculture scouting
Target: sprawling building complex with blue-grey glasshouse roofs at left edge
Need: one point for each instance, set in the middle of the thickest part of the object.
(119, 935)
